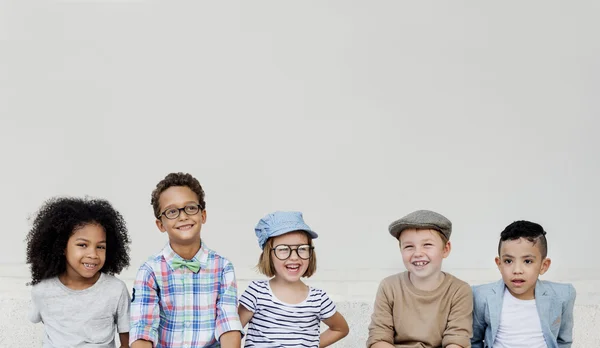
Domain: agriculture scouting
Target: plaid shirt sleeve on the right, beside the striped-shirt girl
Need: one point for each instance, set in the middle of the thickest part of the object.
(227, 302)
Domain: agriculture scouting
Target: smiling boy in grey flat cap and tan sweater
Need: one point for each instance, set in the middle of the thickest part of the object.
(422, 307)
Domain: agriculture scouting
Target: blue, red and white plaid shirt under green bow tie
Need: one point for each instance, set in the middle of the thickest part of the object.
(180, 308)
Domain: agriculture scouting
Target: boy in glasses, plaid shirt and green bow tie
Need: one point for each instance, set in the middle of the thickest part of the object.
(185, 295)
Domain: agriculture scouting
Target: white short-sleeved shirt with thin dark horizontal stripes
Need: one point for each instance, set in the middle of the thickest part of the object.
(278, 324)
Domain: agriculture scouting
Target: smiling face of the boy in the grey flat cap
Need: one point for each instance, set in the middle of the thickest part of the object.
(422, 253)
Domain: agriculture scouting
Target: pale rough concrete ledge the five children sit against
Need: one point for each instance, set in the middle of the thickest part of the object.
(18, 332)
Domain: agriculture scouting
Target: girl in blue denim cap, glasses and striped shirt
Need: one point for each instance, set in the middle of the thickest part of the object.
(283, 311)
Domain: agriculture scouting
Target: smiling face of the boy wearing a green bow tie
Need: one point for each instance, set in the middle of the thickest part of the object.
(184, 230)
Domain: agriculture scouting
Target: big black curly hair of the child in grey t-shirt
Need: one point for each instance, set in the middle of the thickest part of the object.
(55, 223)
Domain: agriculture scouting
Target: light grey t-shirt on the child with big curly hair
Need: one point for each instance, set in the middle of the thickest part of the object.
(81, 318)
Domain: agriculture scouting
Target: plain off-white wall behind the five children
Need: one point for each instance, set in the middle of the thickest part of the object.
(355, 113)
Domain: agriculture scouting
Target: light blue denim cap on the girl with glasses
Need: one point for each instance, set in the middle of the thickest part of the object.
(281, 222)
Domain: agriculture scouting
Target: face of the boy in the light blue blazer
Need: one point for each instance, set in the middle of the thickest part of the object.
(520, 263)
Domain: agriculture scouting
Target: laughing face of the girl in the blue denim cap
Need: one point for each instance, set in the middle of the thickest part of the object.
(292, 268)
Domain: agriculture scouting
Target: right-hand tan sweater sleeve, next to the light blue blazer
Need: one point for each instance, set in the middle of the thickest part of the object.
(459, 328)
